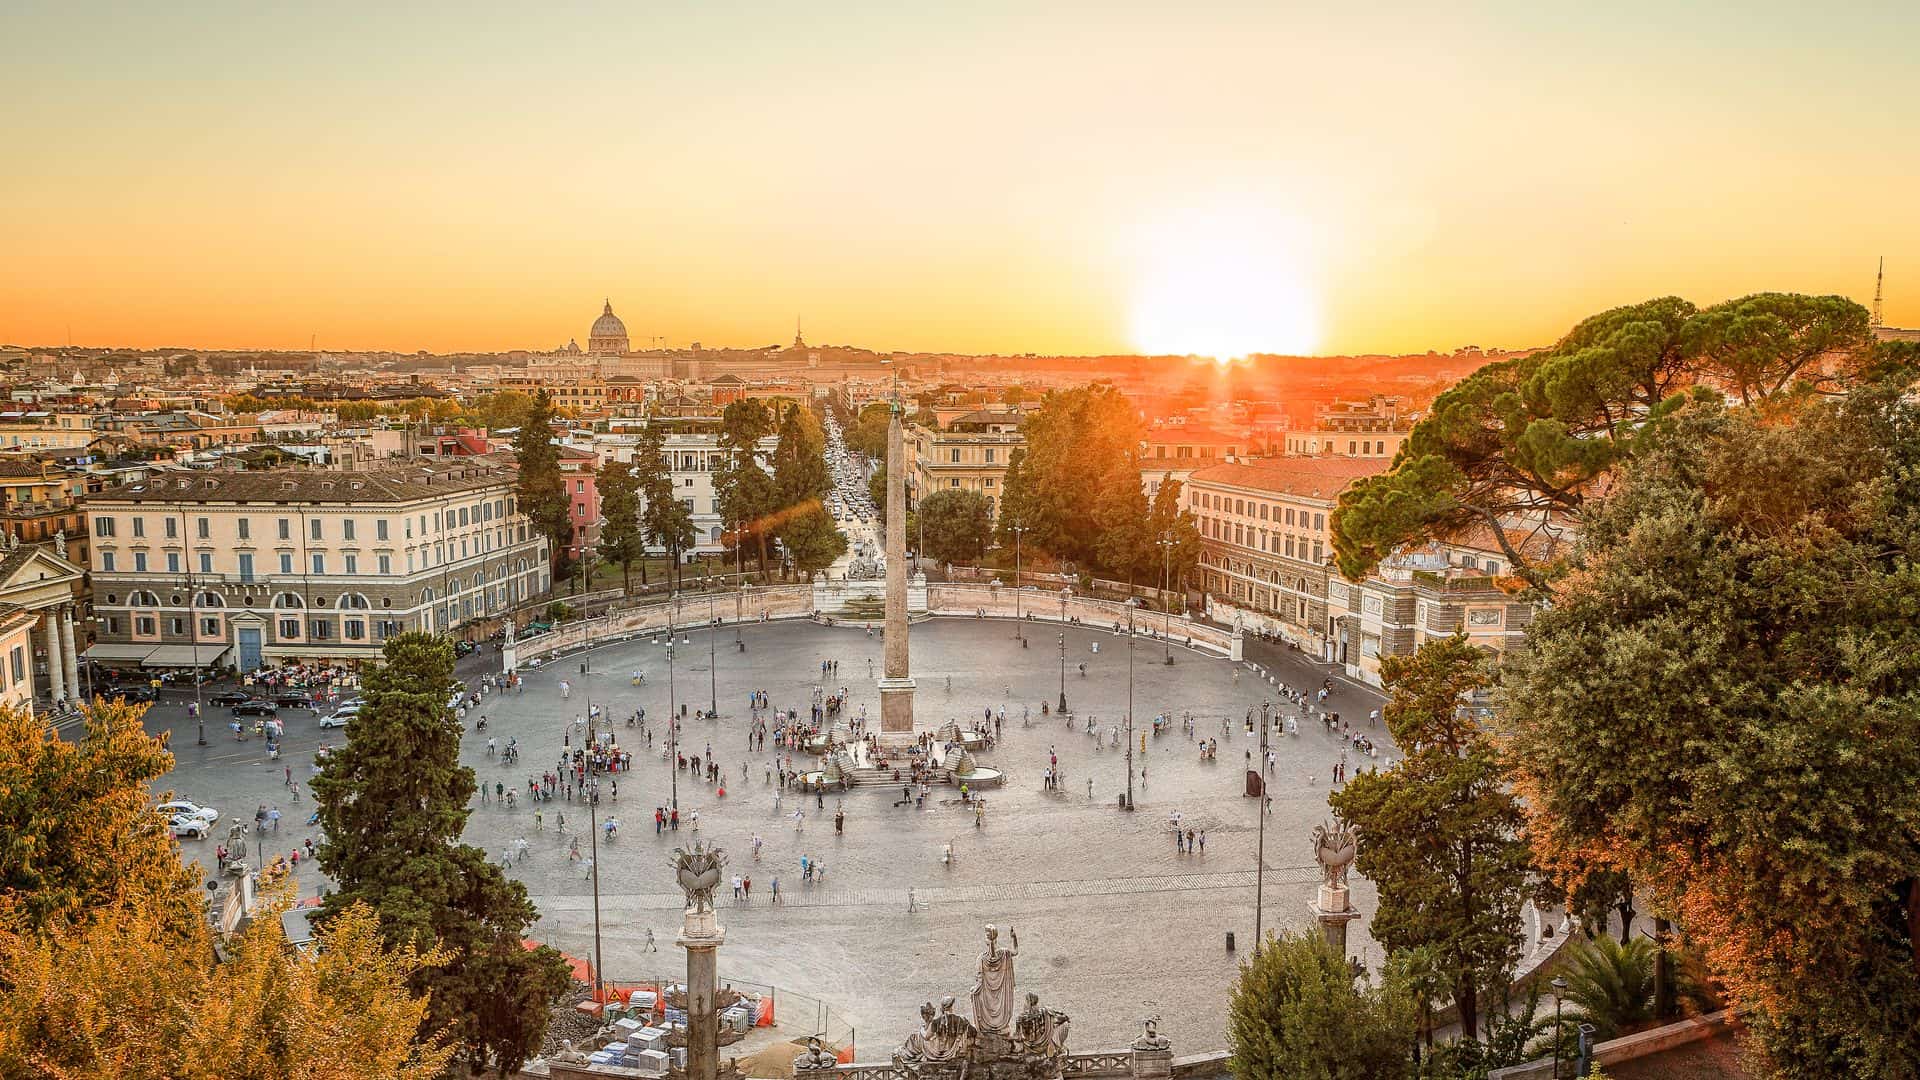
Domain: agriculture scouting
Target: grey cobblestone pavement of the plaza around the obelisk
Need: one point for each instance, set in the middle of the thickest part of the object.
(1115, 923)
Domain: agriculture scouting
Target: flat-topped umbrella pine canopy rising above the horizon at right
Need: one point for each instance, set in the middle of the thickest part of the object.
(1539, 435)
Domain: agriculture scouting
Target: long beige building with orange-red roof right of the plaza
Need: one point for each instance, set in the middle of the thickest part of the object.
(1266, 545)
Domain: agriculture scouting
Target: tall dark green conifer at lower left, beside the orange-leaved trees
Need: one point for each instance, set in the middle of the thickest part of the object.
(395, 802)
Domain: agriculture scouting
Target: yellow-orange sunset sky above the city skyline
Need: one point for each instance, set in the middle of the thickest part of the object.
(984, 178)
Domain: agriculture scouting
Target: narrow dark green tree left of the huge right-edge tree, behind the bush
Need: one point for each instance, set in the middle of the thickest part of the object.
(1441, 833)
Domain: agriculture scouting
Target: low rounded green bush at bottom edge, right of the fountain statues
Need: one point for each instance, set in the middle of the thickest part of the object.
(1297, 1012)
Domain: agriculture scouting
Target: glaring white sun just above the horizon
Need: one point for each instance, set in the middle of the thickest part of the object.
(1222, 285)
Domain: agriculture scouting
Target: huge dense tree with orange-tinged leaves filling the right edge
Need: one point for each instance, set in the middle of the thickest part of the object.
(1723, 704)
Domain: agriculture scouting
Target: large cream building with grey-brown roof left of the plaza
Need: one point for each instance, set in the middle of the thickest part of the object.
(249, 570)
